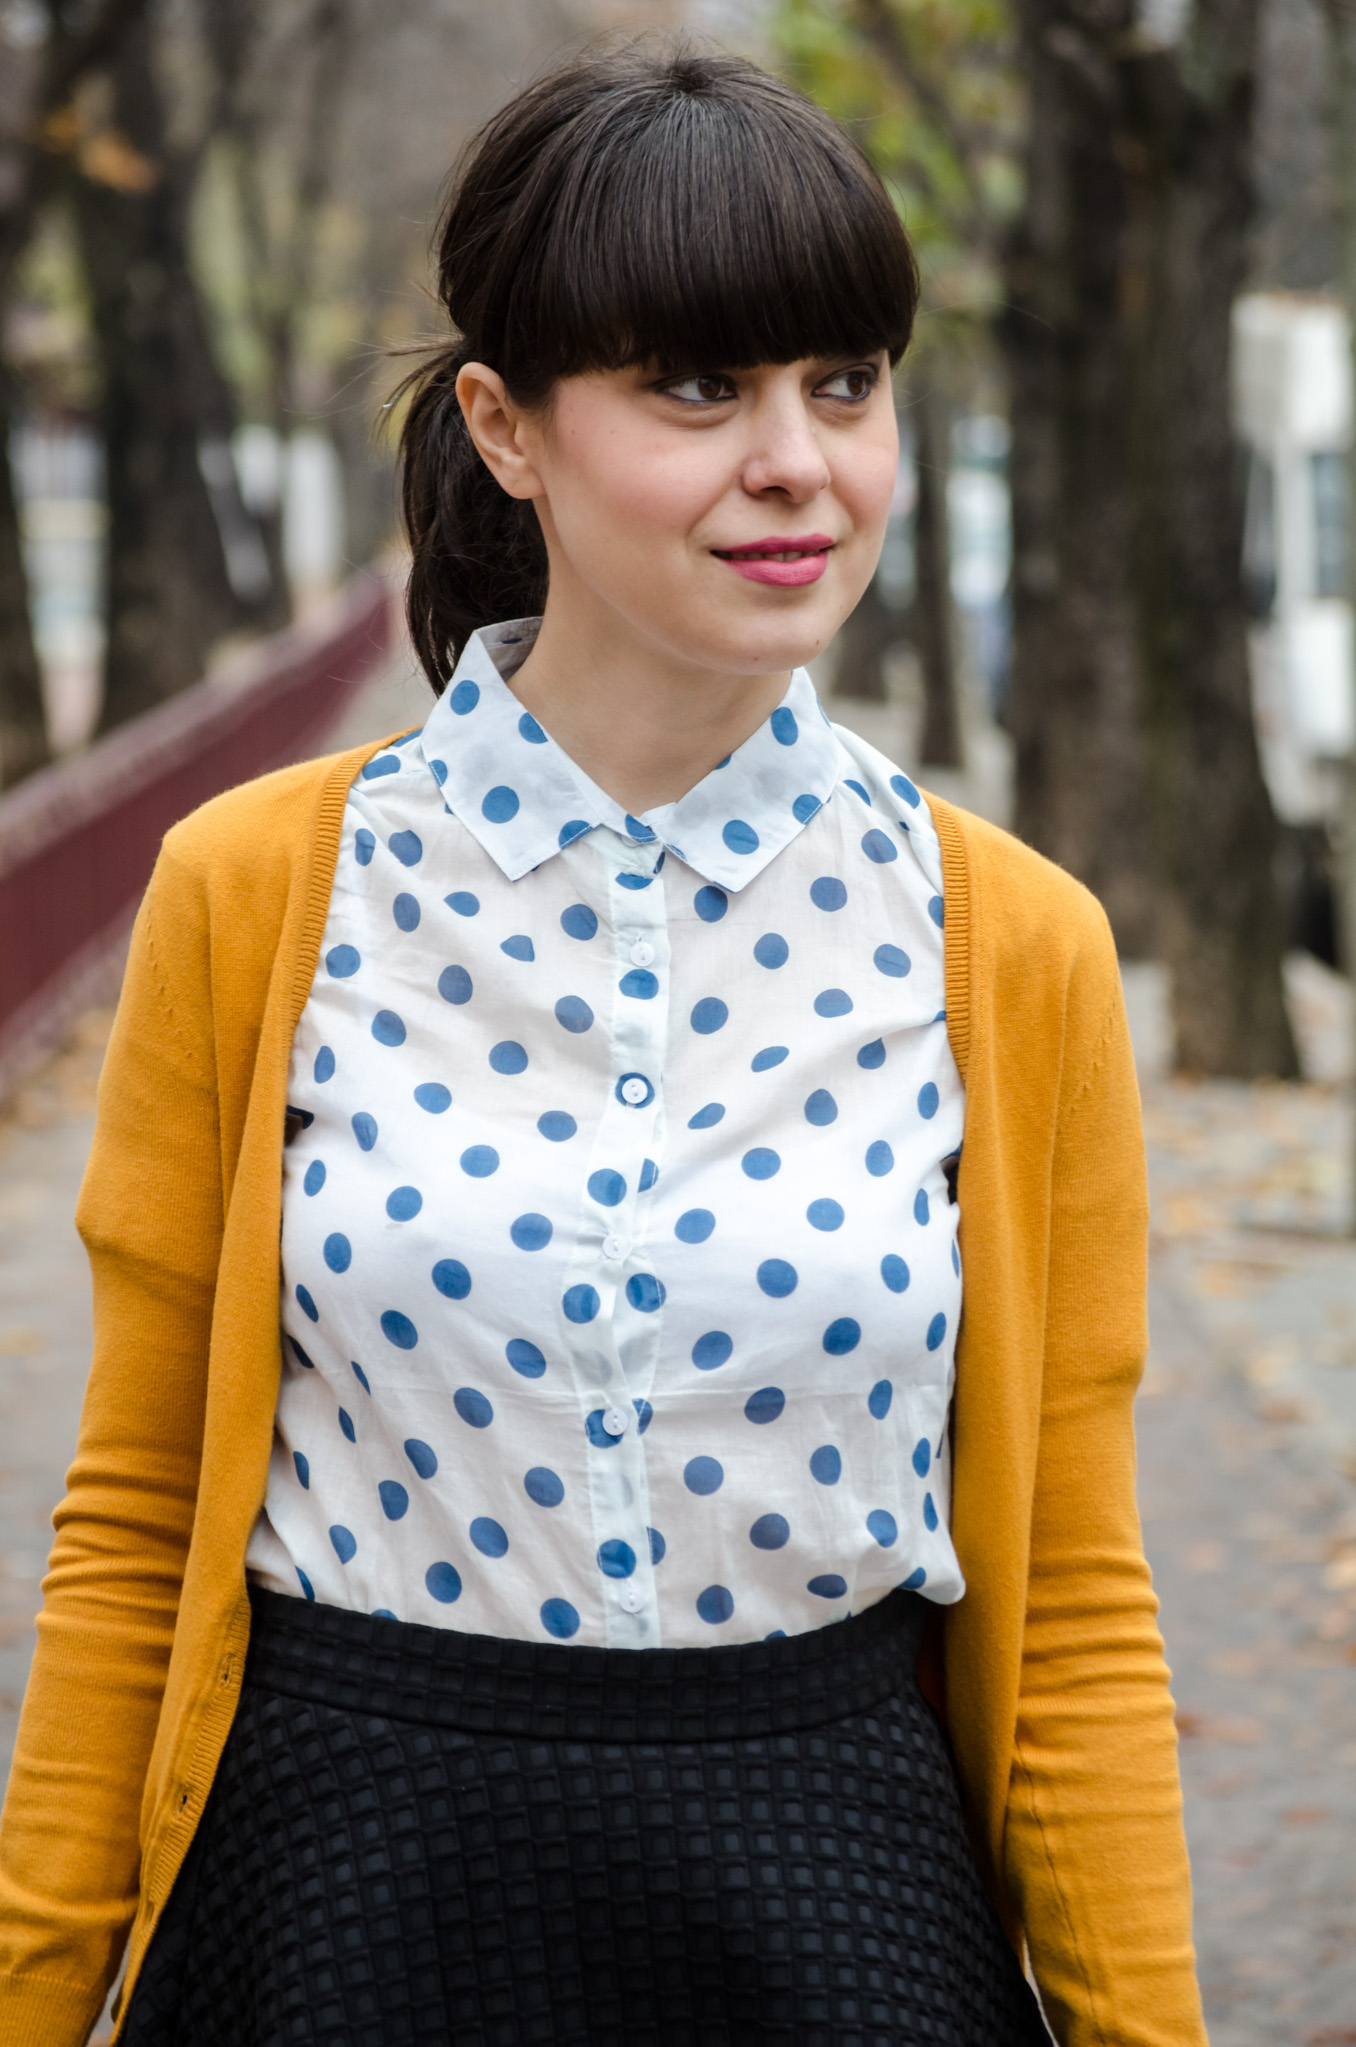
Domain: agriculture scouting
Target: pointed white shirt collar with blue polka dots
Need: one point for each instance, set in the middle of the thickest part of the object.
(523, 799)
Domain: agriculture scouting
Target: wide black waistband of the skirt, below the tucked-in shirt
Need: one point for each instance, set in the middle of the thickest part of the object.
(550, 1692)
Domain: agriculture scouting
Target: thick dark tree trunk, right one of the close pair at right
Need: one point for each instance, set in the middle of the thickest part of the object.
(1191, 116)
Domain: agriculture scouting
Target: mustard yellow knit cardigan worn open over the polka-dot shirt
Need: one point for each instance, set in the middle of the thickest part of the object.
(1056, 1684)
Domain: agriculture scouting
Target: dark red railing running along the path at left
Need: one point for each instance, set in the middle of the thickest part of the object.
(79, 840)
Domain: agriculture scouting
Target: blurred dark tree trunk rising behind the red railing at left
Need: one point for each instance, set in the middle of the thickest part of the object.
(169, 593)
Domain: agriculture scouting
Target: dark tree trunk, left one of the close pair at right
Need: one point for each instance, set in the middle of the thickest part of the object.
(1074, 707)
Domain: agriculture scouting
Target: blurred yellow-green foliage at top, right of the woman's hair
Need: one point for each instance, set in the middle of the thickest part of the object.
(933, 93)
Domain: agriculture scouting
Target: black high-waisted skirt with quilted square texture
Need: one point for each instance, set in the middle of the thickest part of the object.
(425, 1837)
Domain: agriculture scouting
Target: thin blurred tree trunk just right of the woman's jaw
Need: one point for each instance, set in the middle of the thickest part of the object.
(933, 611)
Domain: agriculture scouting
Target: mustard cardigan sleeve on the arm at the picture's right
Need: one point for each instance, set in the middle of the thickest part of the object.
(1095, 1849)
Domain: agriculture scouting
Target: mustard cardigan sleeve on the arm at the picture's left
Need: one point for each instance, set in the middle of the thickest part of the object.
(151, 1217)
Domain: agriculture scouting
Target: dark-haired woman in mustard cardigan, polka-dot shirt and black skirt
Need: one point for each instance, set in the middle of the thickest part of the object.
(513, 1637)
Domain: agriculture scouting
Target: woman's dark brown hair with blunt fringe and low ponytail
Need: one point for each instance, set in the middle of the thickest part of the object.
(648, 204)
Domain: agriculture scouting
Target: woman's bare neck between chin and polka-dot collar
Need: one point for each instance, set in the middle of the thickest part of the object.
(640, 722)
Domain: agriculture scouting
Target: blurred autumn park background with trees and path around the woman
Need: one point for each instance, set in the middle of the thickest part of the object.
(1115, 615)
